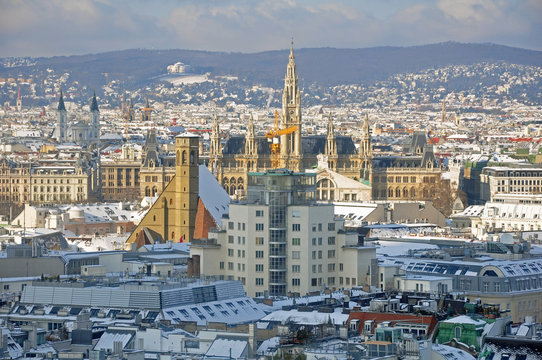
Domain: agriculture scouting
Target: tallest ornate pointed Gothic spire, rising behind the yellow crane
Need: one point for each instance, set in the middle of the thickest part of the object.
(290, 151)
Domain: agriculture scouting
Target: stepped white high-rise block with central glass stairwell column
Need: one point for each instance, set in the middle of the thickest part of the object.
(281, 241)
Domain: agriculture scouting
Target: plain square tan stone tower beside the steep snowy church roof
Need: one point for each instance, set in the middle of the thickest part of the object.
(187, 184)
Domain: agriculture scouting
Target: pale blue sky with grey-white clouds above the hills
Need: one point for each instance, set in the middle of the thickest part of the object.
(66, 27)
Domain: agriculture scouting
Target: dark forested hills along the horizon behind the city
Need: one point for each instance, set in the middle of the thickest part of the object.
(323, 66)
